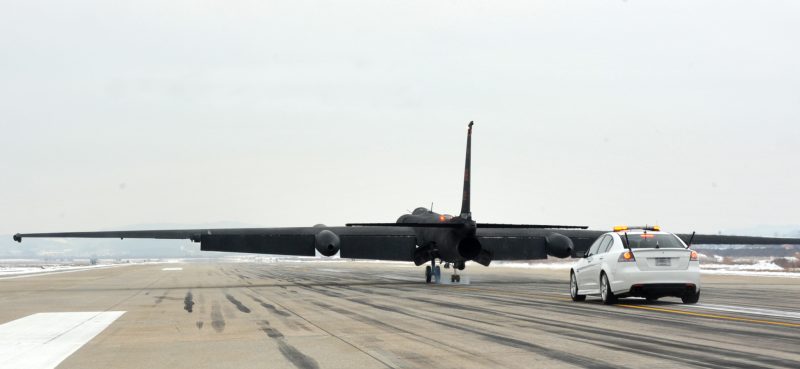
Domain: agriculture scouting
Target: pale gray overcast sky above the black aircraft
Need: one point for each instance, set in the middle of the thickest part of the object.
(279, 113)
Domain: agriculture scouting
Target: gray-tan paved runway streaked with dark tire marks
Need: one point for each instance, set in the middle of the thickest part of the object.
(378, 315)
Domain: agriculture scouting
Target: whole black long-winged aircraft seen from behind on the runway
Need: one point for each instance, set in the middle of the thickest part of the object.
(422, 236)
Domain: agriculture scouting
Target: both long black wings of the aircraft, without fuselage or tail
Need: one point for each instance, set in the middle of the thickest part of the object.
(392, 241)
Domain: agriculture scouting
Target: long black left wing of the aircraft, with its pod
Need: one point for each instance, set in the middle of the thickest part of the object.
(380, 243)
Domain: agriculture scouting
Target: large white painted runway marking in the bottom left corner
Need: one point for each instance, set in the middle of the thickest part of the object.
(44, 340)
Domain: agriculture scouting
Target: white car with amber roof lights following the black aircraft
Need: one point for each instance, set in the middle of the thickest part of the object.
(638, 262)
